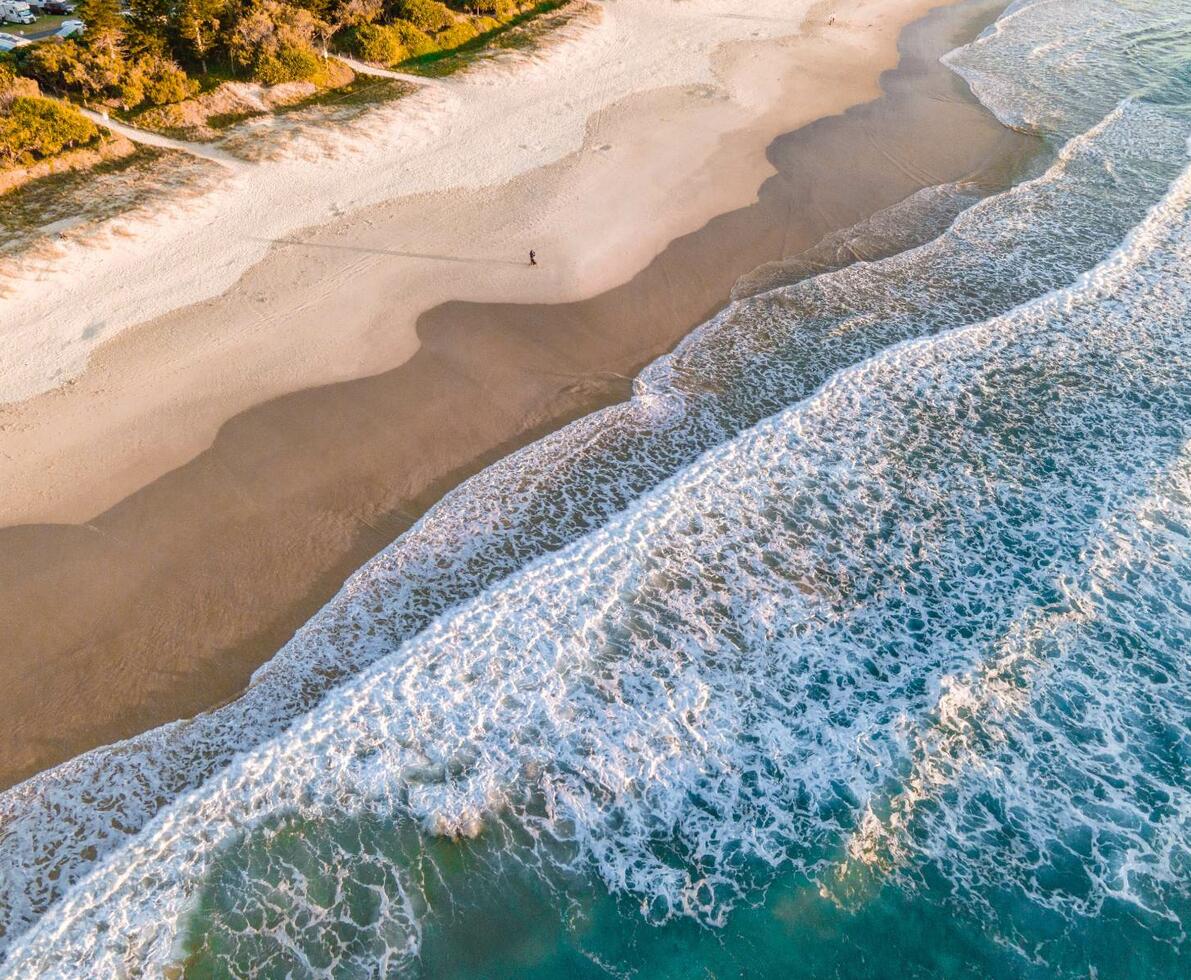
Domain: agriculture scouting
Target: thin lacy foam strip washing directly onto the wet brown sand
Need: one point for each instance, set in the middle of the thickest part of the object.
(547, 496)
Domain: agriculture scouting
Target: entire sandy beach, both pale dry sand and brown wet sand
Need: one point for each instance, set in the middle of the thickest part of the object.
(183, 494)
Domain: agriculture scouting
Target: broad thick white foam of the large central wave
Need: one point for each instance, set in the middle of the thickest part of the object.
(743, 661)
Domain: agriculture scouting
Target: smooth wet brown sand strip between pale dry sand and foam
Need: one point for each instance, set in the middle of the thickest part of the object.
(188, 585)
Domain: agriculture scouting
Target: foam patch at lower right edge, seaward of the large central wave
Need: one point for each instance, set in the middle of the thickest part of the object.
(1074, 728)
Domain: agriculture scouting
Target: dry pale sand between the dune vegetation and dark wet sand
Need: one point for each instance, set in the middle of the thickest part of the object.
(120, 364)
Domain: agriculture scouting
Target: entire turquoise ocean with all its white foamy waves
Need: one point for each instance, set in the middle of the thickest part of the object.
(855, 645)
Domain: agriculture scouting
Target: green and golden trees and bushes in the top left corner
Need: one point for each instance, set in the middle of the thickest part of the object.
(176, 65)
